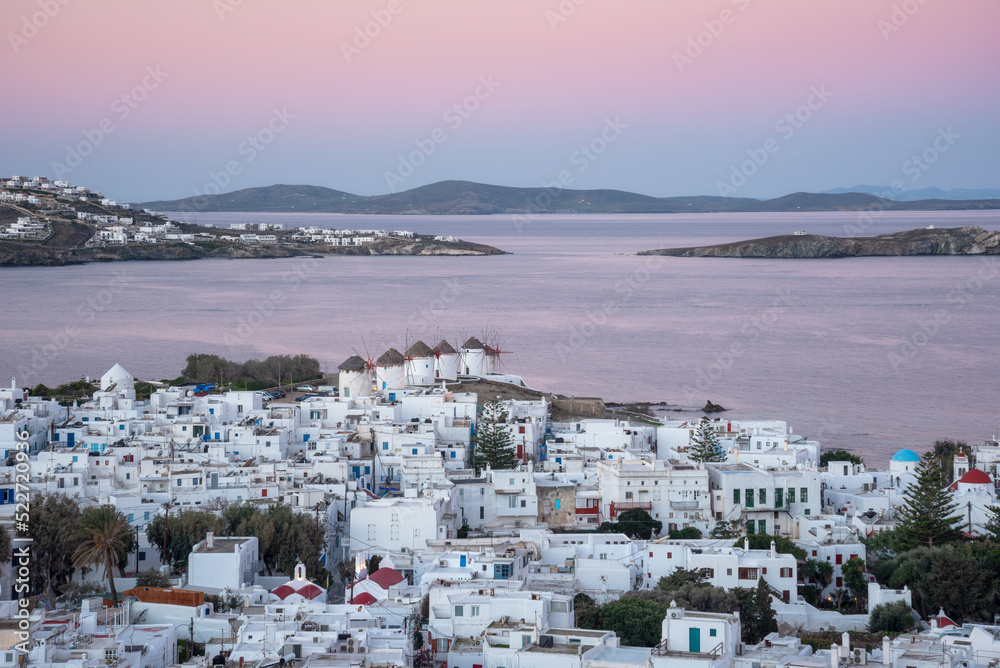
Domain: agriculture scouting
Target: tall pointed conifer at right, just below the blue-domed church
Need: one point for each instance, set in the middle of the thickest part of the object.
(927, 516)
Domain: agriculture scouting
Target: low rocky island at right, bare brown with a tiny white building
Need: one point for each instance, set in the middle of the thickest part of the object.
(968, 240)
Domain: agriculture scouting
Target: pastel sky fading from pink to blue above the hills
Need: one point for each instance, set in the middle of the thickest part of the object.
(200, 76)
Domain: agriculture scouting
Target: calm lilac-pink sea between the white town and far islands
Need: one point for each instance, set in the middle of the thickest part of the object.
(870, 354)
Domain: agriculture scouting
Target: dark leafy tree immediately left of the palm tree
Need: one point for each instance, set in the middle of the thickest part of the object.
(53, 527)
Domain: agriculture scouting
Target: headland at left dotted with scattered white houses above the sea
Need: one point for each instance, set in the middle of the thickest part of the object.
(37, 214)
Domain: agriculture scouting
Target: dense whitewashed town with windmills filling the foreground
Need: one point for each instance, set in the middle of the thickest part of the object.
(478, 566)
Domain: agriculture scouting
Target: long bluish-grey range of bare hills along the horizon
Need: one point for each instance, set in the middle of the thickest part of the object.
(468, 198)
